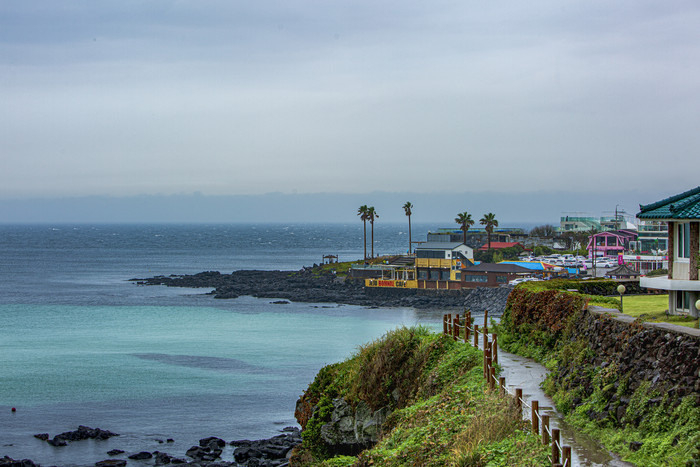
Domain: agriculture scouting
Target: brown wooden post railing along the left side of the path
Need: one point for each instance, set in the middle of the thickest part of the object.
(466, 329)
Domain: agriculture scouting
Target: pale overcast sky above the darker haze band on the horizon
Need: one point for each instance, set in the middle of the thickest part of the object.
(128, 97)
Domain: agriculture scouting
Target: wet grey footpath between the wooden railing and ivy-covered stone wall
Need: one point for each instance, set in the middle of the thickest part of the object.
(525, 373)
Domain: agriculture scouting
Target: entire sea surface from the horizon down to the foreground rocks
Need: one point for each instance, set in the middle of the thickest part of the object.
(79, 344)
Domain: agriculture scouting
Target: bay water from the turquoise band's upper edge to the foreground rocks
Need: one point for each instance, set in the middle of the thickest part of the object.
(156, 372)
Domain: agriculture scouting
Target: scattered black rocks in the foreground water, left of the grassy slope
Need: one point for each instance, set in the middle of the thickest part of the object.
(271, 452)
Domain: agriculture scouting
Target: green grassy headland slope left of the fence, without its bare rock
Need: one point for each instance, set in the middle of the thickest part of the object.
(442, 412)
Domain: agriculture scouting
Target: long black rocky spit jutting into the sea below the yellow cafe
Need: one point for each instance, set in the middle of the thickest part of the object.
(306, 285)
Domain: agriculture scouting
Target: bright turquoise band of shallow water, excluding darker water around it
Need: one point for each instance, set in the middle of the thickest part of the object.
(78, 354)
